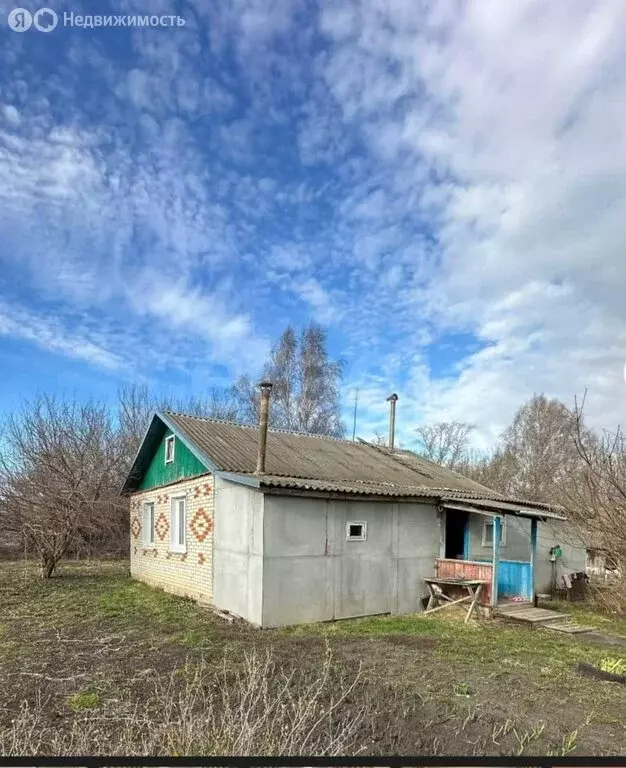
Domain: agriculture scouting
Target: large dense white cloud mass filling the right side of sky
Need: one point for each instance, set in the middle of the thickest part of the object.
(513, 112)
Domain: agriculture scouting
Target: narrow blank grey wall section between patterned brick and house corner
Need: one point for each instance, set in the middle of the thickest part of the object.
(238, 550)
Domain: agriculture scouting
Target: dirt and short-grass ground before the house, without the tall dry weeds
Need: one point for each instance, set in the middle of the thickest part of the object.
(92, 641)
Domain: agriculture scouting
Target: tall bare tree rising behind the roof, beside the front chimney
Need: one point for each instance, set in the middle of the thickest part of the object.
(305, 397)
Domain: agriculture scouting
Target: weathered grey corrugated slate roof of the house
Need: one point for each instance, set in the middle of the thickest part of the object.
(308, 463)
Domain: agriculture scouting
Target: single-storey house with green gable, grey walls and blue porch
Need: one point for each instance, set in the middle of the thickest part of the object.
(282, 528)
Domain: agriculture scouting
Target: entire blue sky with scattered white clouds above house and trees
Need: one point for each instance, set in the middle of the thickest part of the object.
(441, 185)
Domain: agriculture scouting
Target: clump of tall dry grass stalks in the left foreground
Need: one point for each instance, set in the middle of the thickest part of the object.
(255, 709)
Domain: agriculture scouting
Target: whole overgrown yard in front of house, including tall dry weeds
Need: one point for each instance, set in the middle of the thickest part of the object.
(91, 662)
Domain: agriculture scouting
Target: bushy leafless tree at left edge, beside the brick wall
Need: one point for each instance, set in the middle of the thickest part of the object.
(59, 477)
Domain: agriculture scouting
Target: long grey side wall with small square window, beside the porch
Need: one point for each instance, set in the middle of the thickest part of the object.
(311, 572)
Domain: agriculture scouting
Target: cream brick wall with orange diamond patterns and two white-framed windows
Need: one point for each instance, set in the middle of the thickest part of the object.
(189, 574)
